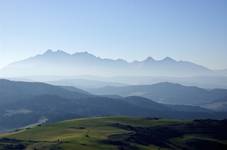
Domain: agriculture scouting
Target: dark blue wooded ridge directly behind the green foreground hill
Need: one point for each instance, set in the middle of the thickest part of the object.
(23, 103)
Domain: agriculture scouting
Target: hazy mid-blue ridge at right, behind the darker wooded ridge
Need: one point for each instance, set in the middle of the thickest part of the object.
(166, 92)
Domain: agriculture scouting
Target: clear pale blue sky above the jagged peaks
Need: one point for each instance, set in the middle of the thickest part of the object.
(194, 30)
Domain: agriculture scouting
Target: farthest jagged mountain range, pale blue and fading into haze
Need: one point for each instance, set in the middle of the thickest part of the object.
(84, 63)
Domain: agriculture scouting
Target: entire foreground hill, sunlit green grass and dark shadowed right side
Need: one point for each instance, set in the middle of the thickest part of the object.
(123, 133)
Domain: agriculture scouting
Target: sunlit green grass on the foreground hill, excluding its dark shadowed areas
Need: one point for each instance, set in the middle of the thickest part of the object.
(85, 134)
